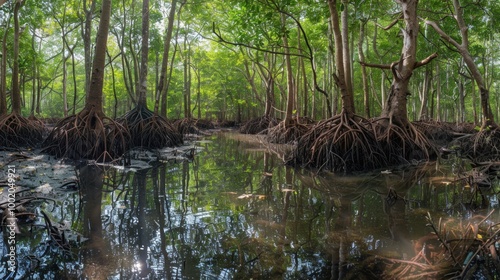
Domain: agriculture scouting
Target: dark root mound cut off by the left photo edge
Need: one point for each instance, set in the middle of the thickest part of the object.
(16, 131)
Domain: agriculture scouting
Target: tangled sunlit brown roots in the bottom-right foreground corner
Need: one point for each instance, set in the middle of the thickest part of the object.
(454, 250)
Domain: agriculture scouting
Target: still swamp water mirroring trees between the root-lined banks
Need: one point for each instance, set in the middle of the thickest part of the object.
(234, 212)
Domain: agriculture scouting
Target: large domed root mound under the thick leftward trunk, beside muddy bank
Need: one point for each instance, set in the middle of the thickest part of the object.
(87, 135)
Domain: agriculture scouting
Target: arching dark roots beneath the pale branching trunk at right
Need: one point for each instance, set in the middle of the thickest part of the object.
(404, 144)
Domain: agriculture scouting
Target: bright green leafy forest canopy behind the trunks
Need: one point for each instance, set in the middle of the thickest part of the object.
(224, 86)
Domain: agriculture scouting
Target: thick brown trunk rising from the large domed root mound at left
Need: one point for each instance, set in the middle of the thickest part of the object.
(94, 97)
